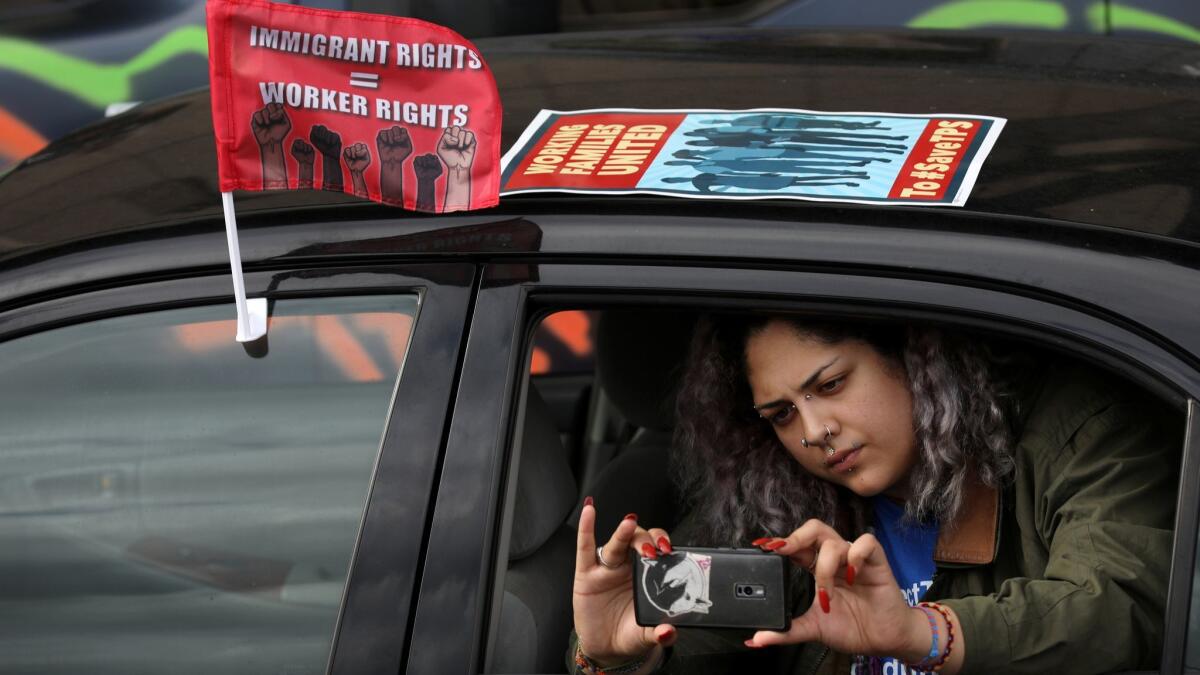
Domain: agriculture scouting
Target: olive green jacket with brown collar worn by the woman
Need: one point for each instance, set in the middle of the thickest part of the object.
(1064, 571)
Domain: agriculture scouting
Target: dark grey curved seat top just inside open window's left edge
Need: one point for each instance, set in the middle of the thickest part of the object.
(547, 491)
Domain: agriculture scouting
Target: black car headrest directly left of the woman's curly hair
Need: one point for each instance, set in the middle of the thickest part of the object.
(640, 356)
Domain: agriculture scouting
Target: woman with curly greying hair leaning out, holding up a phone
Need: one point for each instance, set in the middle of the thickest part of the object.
(1034, 510)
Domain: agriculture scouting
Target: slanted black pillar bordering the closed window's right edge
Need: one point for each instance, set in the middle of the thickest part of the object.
(377, 607)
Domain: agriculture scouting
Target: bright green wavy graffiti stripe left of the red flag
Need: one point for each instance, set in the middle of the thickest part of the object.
(99, 85)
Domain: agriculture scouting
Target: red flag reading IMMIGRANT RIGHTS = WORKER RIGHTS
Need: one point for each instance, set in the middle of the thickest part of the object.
(394, 110)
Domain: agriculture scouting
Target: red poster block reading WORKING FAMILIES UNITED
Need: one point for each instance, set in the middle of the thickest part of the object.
(595, 151)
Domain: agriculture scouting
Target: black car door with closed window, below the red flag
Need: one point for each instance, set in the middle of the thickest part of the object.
(173, 501)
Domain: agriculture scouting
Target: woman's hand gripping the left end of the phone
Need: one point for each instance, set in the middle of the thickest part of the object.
(604, 596)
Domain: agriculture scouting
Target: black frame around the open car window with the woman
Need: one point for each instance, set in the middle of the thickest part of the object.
(464, 578)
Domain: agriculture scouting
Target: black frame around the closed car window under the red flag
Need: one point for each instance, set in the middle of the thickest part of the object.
(374, 617)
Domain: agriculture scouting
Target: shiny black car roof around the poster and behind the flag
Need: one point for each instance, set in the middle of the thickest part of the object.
(1101, 133)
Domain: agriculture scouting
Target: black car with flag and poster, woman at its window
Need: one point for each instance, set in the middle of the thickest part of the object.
(387, 489)
